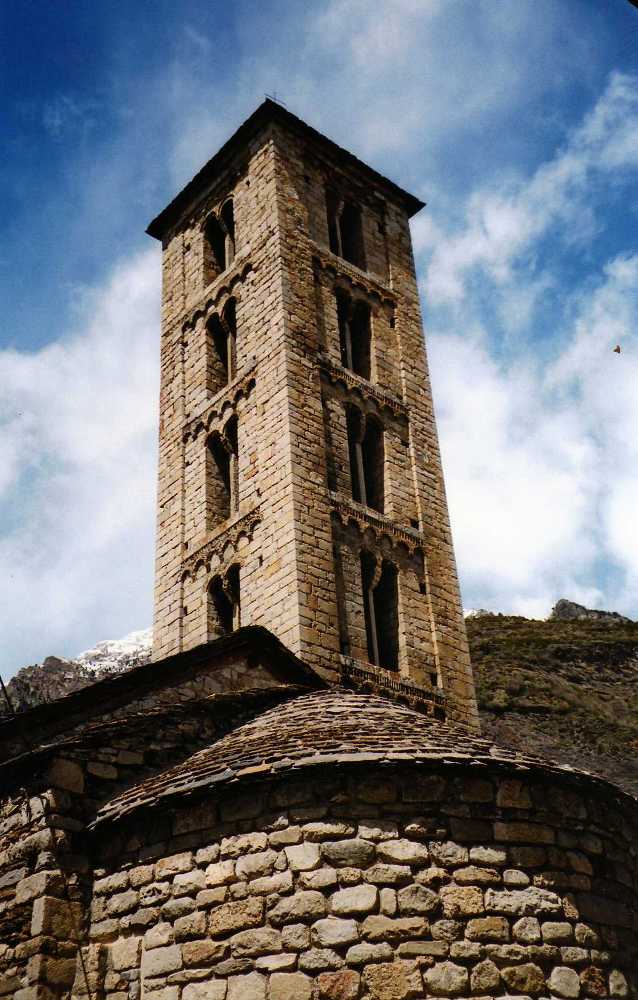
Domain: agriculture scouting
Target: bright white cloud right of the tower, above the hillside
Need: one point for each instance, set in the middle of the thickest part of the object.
(541, 462)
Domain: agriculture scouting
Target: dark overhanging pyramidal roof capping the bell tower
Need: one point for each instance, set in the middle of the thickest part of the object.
(269, 112)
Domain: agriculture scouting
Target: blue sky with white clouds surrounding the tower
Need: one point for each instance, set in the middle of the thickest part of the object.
(515, 120)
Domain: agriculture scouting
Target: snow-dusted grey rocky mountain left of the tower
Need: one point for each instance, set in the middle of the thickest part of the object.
(55, 676)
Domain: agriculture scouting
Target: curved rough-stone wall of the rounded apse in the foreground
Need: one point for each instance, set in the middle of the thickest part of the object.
(355, 885)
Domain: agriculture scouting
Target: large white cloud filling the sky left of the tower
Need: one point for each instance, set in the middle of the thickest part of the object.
(78, 421)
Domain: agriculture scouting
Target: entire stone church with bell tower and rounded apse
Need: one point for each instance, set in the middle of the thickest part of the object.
(293, 800)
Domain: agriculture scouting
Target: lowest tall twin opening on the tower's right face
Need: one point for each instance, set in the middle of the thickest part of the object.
(380, 599)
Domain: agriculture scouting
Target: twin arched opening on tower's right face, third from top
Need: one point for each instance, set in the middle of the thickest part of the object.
(367, 459)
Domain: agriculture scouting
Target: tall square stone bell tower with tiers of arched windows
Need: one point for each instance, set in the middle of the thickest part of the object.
(300, 483)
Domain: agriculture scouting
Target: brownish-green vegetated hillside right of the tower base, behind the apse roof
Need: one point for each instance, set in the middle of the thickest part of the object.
(564, 689)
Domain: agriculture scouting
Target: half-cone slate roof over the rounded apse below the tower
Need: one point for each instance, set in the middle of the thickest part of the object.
(329, 727)
